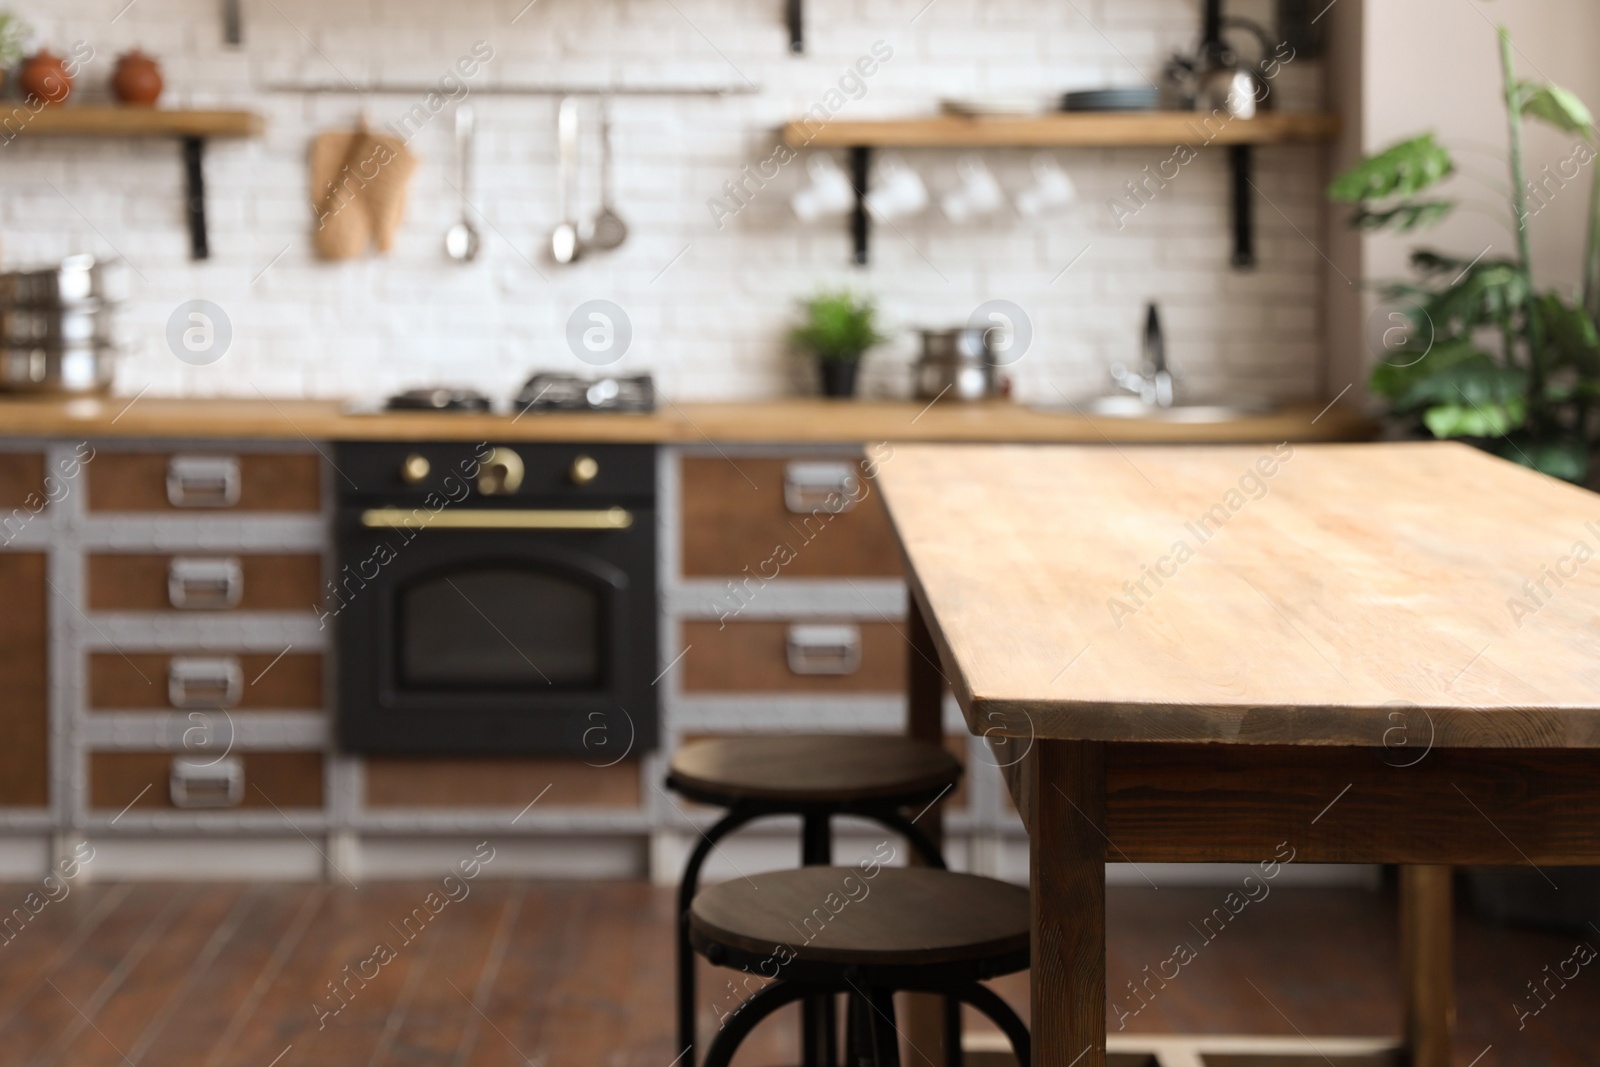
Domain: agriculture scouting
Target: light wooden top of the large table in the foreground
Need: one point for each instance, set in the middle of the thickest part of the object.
(1294, 594)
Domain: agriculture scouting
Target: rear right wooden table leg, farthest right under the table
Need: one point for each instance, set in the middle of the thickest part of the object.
(1426, 959)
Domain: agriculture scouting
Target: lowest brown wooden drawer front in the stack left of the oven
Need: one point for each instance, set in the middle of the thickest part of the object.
(289, 780)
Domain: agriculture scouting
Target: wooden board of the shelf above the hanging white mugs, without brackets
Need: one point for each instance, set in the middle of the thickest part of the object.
(1065, 130)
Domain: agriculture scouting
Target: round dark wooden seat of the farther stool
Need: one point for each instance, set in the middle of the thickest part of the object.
(812, 769)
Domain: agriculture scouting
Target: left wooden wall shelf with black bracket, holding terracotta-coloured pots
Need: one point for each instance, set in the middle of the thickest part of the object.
(97, 121)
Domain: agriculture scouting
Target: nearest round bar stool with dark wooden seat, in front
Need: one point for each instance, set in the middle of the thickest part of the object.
(868, 933)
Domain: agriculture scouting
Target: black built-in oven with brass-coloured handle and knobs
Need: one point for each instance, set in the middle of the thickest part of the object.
(497, 599)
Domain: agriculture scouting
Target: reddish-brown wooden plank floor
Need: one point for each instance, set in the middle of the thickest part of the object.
(556, 975)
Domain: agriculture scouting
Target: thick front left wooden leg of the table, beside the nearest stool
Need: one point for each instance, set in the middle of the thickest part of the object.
(1068, 853)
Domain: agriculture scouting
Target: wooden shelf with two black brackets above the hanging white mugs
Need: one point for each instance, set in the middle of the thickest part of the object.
(1070, 130)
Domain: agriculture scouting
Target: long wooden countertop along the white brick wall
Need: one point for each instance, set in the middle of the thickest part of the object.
(767, 422)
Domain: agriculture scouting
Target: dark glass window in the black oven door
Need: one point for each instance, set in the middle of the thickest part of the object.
(502, 628)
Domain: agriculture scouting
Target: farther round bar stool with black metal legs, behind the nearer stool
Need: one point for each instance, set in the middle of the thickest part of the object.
(814, 777)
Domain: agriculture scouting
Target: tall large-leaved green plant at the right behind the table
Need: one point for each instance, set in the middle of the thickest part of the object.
(1481, 353)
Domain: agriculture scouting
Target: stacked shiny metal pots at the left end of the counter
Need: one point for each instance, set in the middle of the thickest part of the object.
(57, 326)
